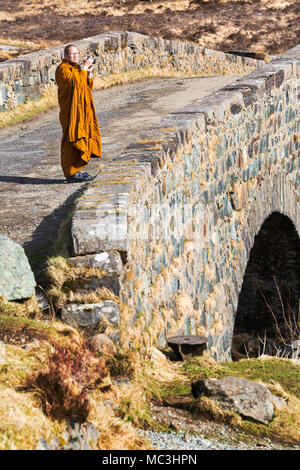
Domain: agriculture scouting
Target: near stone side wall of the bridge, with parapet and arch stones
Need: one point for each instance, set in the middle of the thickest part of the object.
(183, 205)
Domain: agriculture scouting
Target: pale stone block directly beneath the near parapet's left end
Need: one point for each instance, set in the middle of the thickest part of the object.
(108, 261)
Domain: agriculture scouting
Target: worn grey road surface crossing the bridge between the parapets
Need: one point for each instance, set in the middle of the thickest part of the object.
(34, 196)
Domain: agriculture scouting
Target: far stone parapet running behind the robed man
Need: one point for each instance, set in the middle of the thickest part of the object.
(25, 77)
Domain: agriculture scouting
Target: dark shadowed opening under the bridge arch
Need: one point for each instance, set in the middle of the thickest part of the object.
(267, 319)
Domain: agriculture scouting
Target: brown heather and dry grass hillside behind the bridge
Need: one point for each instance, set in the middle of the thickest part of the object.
(271, 26)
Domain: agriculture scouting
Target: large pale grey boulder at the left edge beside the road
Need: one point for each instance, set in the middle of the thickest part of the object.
(16, 277)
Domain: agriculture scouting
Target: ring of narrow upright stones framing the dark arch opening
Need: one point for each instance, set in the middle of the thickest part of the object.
(272, 195)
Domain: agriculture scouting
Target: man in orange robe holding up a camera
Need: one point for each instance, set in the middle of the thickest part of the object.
(81, 134)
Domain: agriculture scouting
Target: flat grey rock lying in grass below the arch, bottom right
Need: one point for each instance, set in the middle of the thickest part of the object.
(242, 396)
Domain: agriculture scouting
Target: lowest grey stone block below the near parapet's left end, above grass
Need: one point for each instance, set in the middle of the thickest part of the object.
(90, 316)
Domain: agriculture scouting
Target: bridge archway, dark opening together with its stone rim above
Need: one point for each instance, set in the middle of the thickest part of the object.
(268, 299)
